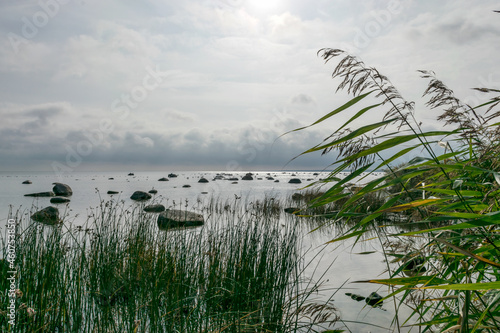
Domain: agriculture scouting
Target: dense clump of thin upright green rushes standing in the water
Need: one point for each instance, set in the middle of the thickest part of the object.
(119, 273)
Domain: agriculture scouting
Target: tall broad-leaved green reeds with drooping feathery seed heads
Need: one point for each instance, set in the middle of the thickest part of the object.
(448, 270)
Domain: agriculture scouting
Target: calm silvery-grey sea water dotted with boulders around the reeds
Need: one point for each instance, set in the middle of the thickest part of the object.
(90, 188)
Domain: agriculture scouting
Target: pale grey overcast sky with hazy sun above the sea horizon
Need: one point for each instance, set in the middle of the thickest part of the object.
(211, 85)
